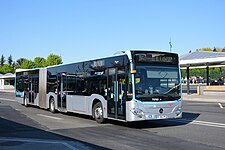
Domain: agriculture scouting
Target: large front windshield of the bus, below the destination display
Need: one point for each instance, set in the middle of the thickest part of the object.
(157, 83)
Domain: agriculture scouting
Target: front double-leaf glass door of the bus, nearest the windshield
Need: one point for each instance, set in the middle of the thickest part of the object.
(116, 87)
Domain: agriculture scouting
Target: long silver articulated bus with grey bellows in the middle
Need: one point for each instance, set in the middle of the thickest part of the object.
(133, 85)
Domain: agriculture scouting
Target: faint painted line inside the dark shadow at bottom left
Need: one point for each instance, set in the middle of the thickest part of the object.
(40, 141)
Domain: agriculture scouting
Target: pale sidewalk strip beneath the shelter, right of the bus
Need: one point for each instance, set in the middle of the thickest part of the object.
(204, 98)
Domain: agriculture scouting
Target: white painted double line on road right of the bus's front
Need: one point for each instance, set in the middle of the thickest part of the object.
(203, 123)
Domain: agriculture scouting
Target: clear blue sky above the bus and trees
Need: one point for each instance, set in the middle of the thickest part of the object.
(84, 29)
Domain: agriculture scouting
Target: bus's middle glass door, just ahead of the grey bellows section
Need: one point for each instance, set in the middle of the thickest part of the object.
(61, 86)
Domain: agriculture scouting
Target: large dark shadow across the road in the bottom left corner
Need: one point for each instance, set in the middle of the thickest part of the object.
(15, 135)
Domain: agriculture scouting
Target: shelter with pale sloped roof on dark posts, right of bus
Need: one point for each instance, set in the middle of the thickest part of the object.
(201, 59)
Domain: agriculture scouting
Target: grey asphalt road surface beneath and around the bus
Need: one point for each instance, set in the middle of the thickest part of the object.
(202, 127)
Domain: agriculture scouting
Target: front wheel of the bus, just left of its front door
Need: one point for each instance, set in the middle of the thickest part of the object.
(97, 112)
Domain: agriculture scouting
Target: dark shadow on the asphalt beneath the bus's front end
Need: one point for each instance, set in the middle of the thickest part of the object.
(186, 119)
